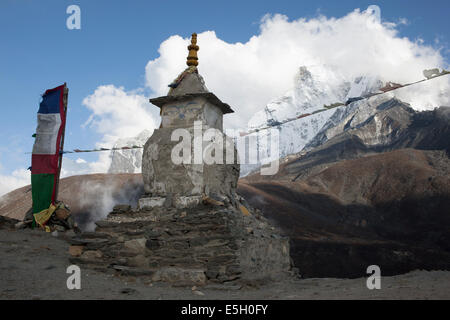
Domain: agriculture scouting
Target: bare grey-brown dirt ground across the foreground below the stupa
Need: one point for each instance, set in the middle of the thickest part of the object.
(33, 266)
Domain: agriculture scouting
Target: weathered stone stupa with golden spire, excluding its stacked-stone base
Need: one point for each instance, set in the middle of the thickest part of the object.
(192, 130)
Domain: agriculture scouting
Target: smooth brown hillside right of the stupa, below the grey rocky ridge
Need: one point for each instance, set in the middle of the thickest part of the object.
(392, 207)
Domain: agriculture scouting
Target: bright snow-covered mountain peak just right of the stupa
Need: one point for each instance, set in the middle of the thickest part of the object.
(312, 90)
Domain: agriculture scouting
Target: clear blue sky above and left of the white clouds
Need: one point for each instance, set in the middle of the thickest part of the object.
(118, 38)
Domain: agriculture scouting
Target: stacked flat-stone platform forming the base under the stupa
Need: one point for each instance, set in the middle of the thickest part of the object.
(192, 246)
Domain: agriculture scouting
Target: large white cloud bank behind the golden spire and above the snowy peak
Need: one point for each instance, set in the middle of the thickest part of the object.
(248, 75)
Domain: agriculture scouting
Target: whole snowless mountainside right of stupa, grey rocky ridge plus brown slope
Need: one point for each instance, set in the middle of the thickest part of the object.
(374, 187)
